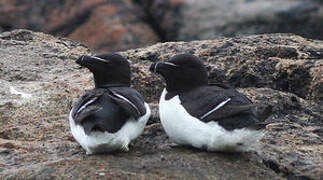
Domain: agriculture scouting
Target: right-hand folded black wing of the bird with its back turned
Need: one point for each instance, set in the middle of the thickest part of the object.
(130, 100)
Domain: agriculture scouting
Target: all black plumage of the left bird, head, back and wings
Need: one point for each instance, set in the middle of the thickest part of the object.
(112, 102)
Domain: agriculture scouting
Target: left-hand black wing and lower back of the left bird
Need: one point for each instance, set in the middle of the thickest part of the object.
(97, 111)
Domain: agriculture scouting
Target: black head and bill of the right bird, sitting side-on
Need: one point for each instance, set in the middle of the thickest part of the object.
(181, 72)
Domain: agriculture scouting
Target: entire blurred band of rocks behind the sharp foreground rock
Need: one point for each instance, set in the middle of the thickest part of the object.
(114, 25)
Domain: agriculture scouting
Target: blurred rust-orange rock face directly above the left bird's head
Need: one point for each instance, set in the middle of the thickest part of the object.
(114, 26)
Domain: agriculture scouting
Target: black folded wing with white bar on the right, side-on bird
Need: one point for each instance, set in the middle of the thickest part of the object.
(220, 103)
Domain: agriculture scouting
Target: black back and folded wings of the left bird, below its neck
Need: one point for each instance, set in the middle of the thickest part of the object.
(106, 111)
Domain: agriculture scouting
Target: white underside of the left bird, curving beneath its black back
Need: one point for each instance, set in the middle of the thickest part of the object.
(99, 142)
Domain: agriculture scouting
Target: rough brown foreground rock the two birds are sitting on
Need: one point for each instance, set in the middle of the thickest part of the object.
(39, 82)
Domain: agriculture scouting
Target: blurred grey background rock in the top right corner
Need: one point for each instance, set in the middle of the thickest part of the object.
(231, 18)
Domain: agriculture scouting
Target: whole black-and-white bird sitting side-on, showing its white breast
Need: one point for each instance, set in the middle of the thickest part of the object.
(214, 117)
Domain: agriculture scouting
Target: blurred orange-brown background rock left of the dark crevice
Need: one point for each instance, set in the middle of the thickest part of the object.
(102, 25)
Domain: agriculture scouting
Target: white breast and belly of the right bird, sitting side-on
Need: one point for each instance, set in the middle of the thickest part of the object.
(185, 129)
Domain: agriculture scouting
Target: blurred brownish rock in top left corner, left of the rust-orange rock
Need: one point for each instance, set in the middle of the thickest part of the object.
(56, 17)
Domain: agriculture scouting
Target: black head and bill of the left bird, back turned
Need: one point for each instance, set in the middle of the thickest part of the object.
(108, 69)
